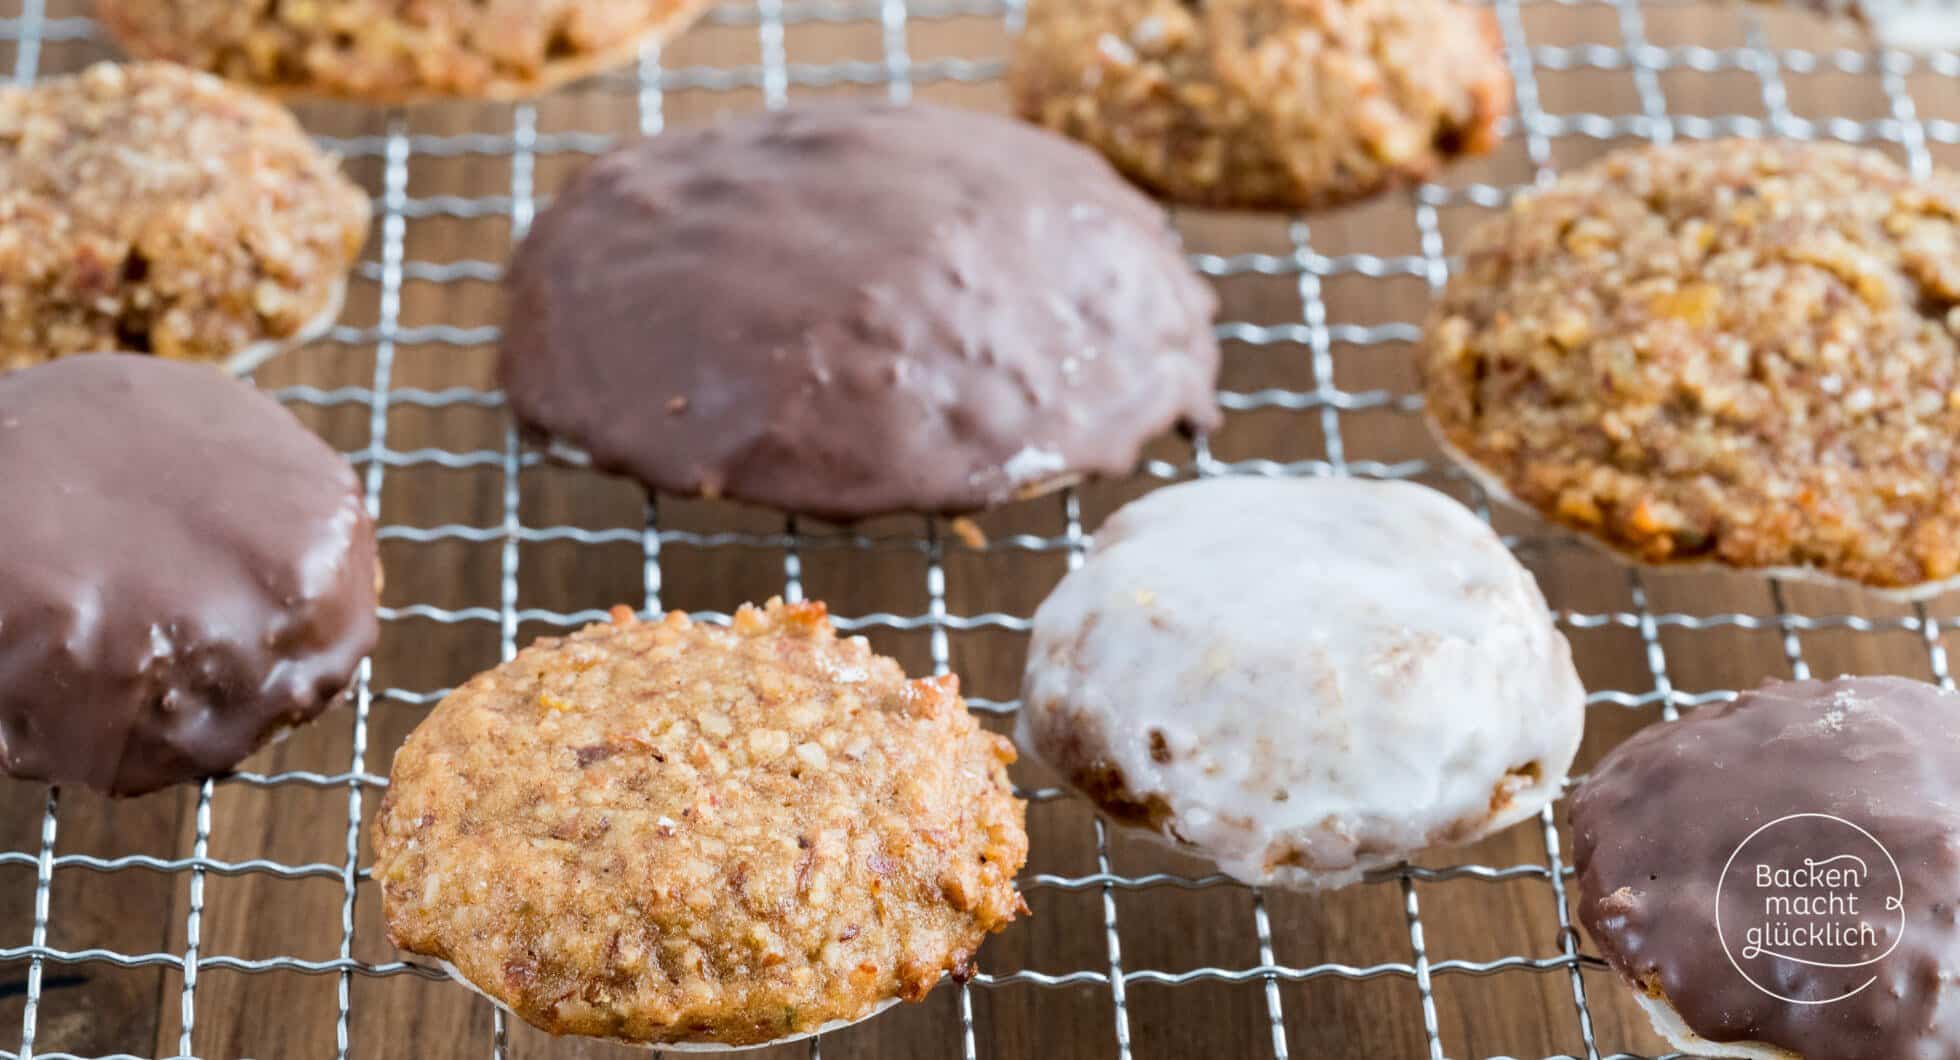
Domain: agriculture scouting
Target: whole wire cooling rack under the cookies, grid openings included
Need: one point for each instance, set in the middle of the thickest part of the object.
(1640, 653)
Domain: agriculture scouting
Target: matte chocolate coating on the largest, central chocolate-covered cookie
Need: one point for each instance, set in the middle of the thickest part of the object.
(857, 309)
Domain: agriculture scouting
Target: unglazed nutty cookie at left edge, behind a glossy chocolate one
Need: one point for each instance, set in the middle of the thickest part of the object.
(158, 211)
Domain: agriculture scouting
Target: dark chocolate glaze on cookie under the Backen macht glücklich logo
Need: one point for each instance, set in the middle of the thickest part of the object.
(1661, 816)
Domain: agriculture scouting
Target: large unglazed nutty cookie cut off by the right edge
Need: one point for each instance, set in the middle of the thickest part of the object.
(1736, 352)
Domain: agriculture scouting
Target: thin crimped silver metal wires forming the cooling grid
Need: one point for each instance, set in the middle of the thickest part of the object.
(899, 72)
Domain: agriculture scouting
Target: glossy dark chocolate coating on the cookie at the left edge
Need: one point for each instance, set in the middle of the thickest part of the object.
(185, 571)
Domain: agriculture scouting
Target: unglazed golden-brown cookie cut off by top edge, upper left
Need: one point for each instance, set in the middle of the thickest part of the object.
(393, 52)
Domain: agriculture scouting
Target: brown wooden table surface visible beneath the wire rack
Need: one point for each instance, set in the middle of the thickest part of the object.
(1326, 1006)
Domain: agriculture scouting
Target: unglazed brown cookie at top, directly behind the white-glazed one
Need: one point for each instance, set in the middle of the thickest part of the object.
(1269, 105)
